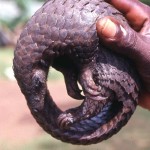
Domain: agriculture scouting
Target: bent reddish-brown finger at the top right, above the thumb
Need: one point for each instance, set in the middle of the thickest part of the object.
(135, 11)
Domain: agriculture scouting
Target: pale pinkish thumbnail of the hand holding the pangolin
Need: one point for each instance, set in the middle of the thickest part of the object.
(107, 28)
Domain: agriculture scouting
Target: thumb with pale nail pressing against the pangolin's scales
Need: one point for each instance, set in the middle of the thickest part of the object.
(122, 39)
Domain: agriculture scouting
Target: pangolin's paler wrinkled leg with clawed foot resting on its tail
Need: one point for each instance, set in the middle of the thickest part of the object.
(92, 104)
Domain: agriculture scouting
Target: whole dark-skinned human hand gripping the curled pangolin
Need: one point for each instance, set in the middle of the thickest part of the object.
(133, 41)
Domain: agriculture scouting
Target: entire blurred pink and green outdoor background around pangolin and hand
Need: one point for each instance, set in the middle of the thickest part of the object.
(18, 130)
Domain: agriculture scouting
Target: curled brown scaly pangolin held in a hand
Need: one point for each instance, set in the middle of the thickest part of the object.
(62, 34)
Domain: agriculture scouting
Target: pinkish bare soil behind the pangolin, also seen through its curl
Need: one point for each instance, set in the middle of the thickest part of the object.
(17, 124)
